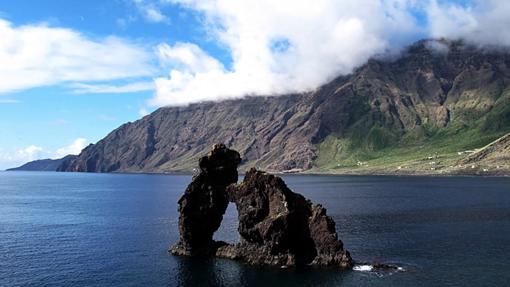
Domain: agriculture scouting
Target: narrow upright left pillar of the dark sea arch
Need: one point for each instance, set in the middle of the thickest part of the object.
(205, 200)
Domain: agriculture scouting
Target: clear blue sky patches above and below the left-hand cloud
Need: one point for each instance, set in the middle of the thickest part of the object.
(53, 116)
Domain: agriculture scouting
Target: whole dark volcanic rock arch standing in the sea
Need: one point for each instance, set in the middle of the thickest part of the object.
(276, 226)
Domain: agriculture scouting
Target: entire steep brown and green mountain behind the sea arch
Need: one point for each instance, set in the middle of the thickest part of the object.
(436, 91)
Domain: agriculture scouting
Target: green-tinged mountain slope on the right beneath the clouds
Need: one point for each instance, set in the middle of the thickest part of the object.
(427, 111)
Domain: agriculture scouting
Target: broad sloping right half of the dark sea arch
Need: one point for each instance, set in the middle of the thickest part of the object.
(280, 227)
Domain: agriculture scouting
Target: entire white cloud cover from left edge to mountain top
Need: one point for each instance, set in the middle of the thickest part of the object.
(274, 47)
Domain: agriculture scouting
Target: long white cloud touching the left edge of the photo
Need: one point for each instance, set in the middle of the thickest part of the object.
(39, 55)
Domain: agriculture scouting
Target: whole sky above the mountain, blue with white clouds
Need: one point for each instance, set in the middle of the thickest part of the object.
(75, 70)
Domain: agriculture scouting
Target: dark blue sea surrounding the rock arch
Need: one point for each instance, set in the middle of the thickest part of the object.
(66, 229)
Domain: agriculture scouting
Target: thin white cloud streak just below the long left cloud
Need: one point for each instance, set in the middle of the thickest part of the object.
(82, 88)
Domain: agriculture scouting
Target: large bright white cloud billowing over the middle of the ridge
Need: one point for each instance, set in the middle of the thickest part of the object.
(279, 46)
